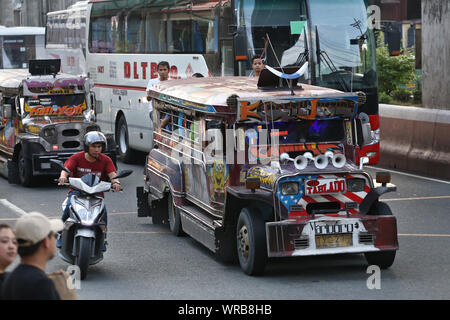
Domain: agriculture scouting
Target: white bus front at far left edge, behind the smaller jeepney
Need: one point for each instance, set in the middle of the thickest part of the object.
(18, 45)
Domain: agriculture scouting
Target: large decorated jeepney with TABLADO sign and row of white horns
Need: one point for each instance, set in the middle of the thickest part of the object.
(254, 170)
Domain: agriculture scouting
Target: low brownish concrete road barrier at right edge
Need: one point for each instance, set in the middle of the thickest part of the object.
(415, 140)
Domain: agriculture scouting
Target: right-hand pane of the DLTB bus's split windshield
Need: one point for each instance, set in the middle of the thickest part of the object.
(346, 40)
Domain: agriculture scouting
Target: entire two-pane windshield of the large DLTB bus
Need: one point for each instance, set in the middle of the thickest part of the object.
(346, 45)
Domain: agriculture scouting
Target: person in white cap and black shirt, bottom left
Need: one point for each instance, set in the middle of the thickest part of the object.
(36, 236)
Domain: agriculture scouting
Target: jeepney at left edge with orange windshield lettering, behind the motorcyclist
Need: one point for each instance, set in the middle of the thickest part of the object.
(43, 115)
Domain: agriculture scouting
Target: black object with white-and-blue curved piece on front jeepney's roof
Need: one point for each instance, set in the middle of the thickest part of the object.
(281, 77)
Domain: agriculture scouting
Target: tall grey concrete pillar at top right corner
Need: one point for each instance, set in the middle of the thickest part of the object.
(436, 54)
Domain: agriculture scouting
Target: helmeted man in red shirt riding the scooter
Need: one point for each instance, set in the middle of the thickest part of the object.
(91, 160)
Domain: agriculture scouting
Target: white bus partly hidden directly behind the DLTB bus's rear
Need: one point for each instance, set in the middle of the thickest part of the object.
(65, 37)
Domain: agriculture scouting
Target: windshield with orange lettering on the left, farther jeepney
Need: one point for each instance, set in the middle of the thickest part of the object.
(55, 106)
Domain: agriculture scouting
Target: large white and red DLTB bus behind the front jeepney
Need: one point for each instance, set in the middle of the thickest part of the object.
(127, 39)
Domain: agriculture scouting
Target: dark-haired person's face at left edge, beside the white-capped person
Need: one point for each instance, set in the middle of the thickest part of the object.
(8, 250)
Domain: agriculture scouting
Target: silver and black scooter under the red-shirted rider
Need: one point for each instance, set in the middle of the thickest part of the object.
(83, 236)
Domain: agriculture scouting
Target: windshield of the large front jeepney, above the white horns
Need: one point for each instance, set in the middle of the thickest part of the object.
(294, 132)
